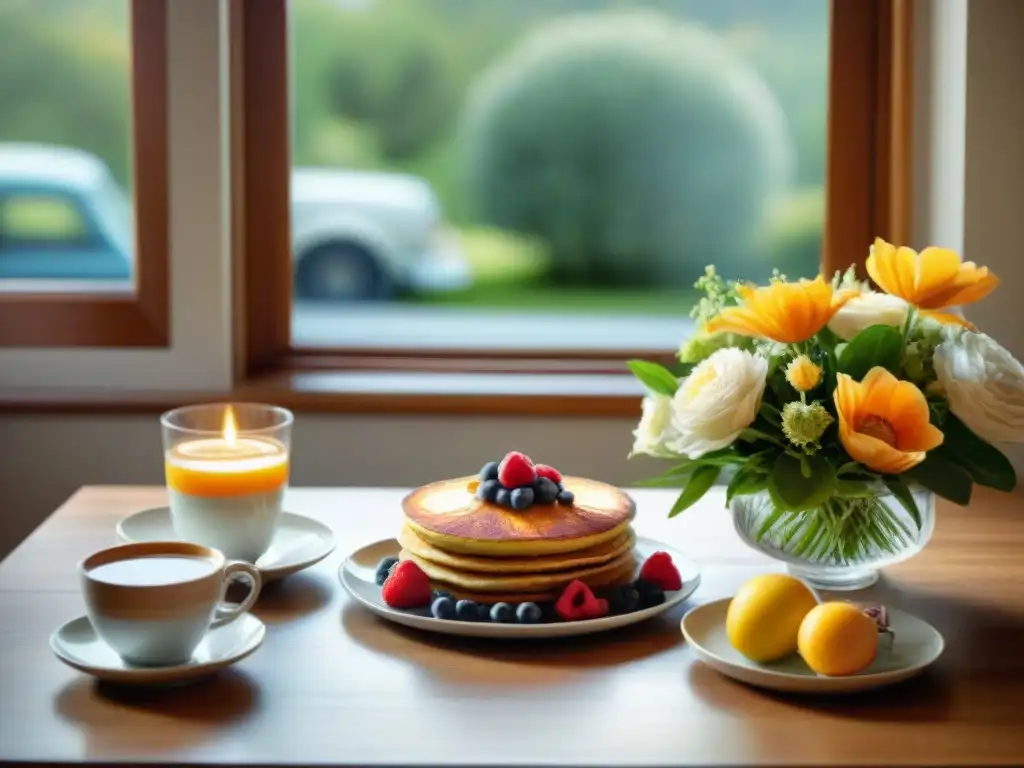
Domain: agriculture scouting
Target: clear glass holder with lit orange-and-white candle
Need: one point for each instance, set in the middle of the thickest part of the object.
(227, 467)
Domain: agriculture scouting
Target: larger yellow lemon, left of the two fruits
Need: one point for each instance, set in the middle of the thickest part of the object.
(764, 617)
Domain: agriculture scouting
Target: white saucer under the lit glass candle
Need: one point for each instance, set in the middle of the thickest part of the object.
(298, 543)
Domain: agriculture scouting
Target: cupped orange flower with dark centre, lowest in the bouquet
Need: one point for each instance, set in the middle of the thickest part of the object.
(883, 422)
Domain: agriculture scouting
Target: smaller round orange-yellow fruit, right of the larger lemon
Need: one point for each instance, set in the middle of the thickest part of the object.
(838, 639)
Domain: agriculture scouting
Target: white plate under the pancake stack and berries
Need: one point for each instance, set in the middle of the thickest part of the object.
(358, 577)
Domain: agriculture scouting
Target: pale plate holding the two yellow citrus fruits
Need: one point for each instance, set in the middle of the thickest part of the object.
(916, 645)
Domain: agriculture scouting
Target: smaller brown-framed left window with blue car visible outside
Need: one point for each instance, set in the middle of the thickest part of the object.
(83, 178)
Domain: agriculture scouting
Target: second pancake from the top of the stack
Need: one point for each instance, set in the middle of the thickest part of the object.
(603, 553)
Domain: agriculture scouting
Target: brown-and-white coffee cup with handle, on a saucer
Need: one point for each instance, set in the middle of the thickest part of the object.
(153, 603)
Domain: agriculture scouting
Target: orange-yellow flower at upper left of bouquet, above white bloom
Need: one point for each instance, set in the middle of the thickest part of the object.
(787, 313)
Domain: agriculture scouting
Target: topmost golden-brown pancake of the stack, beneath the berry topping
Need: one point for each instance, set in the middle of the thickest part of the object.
(450, 518)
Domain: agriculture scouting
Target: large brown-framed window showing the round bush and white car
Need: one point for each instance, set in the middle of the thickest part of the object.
(481, 187)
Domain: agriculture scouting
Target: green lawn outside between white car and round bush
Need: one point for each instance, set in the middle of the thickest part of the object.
(509, 273)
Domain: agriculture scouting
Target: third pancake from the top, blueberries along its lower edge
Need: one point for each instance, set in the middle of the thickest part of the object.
(552, 583)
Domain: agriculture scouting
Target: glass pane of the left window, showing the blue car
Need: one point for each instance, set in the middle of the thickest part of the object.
(66, 221)
